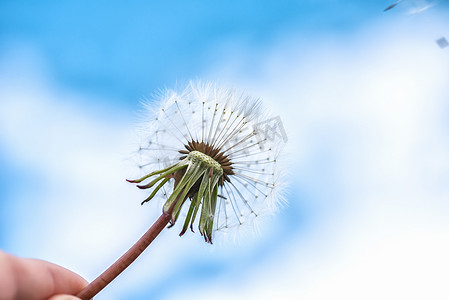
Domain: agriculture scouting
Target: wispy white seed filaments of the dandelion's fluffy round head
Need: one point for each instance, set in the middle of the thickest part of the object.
(227, 120)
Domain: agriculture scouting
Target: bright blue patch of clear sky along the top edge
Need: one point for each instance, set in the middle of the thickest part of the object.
(130, 50)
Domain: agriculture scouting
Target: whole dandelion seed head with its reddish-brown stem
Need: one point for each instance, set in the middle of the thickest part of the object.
(212, 156)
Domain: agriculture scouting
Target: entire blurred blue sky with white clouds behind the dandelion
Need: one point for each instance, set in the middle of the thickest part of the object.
(363, 95)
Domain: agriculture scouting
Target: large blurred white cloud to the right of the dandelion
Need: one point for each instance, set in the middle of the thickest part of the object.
(376, 102)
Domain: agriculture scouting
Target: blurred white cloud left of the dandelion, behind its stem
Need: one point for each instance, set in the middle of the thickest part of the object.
(81, 213)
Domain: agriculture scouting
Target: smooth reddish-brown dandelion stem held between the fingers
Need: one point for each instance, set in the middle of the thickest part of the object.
(126, 259)
